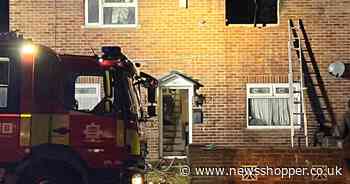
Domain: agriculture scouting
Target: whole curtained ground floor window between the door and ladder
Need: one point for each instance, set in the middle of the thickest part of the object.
(268, 105)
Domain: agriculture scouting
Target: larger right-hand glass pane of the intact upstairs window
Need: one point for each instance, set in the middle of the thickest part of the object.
(119, 15)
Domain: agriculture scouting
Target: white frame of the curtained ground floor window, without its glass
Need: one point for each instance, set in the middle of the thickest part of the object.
(272, 94)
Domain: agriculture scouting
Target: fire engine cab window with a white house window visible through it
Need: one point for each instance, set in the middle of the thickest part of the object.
(88, 92)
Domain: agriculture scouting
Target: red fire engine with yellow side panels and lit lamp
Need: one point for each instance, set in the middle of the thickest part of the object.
(45, 137)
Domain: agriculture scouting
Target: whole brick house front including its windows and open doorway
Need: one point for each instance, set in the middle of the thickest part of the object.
(234, 53)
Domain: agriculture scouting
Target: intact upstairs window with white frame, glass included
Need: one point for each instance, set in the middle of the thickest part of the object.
(118, 13)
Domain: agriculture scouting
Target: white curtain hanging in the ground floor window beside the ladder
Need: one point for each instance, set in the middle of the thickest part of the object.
(269, 111)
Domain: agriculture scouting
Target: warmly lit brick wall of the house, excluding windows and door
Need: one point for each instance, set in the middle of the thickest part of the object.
(223, 58)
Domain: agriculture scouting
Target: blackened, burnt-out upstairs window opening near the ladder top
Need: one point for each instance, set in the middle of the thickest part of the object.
(256, 12)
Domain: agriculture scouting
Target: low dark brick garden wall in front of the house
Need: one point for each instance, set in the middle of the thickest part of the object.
(262, 158)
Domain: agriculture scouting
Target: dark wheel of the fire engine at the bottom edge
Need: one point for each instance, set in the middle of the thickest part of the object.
(49, 172)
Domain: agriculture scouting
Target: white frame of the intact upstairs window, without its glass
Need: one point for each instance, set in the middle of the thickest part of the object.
(100, 23)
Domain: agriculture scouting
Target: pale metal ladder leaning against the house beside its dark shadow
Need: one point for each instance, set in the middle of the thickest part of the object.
(296, 84)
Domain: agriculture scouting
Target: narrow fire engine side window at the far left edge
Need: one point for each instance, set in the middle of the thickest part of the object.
(4, 81)
